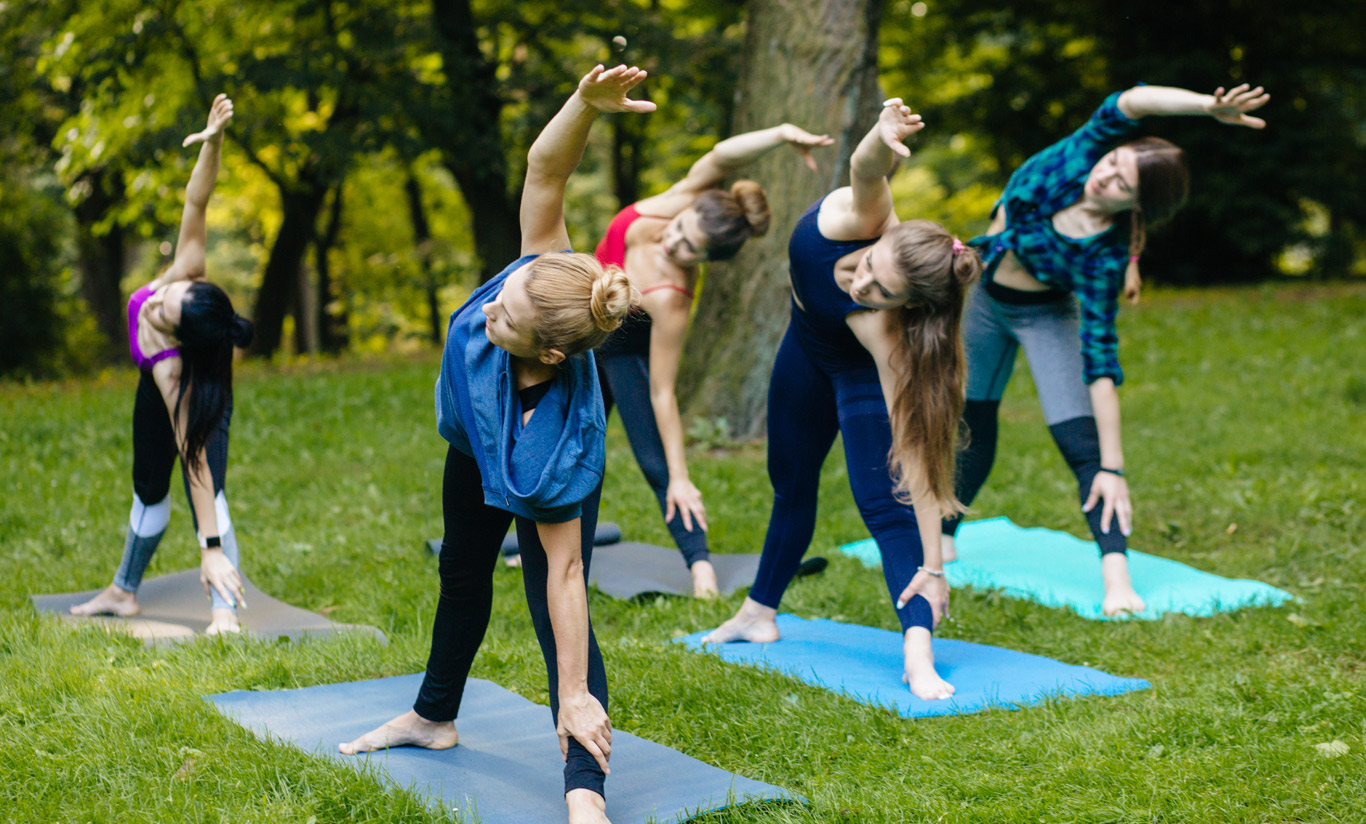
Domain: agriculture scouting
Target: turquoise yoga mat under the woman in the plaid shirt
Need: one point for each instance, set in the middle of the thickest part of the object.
(1059, 571)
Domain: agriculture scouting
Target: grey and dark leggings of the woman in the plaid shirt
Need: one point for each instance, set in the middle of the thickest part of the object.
(999, 322)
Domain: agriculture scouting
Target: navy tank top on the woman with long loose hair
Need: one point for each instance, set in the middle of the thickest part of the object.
(820, 326)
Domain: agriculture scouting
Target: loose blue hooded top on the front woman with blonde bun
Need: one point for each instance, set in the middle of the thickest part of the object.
(546, 469)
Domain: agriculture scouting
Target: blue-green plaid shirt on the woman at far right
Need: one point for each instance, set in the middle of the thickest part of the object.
(1092, 269)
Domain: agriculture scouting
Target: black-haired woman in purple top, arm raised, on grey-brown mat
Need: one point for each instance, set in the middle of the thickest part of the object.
(181, 335)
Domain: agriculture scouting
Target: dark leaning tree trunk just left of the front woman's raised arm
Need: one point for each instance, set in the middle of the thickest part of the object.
(476, 158)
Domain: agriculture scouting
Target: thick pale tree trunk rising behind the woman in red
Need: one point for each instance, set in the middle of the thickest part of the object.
(812, 64)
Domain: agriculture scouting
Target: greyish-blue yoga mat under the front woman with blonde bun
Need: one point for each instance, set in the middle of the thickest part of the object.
(507, 769)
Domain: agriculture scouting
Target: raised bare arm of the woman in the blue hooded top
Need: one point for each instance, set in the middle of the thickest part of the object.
(559, 148)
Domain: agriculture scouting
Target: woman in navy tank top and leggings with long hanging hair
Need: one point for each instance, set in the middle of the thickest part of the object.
(875, 355)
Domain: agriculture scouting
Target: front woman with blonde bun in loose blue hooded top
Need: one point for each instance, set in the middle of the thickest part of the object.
(520, 402)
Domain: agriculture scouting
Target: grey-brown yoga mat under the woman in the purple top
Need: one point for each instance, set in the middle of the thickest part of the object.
(176, 609)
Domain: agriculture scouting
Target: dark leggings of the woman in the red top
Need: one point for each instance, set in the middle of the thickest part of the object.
(626, 382)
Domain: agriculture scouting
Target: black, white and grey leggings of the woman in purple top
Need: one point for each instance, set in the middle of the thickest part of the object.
(154, 461)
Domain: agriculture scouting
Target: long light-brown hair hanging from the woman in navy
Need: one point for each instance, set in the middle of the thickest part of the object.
(930, 361)
